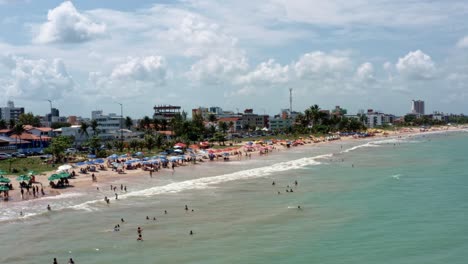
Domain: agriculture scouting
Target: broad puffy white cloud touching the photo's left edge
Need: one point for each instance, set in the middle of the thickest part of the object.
(32, 79)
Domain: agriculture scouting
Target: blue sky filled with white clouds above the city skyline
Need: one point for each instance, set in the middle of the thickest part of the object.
(359, 54)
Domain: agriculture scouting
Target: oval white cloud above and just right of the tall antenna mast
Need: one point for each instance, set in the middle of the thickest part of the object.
(321, 65)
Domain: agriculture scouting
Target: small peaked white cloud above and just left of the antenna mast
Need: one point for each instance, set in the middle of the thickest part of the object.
(268, 72)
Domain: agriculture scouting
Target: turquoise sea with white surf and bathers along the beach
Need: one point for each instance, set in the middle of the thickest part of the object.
(378, 201)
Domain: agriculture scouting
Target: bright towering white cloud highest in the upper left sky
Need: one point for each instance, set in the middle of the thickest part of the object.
(66, 25)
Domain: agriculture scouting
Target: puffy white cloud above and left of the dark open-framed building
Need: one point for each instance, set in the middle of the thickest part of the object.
(140, 74)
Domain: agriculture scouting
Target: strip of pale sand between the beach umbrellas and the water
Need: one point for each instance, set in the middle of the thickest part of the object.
(83, 182)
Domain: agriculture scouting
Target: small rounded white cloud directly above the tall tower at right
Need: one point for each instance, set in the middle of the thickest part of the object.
(416, 65)
